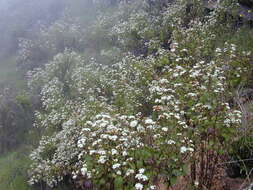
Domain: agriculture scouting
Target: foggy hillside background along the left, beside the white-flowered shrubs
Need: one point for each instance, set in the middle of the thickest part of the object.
(23, 21)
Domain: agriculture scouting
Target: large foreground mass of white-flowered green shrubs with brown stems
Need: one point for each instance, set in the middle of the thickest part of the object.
(139, 121)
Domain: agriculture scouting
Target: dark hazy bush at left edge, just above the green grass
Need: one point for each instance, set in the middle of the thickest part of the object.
(15, 119)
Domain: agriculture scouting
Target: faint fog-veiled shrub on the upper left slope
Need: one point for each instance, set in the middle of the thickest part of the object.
(62, 34)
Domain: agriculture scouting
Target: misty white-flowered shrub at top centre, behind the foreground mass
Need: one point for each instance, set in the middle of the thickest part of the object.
(137, 27)
